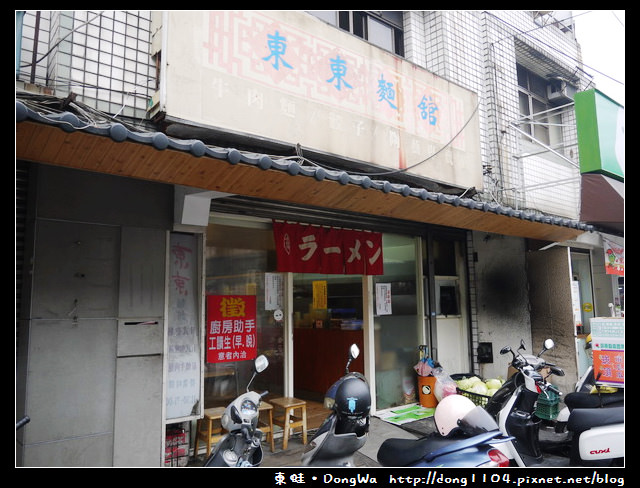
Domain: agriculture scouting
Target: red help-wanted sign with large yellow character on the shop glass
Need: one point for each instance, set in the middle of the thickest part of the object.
(231, 328)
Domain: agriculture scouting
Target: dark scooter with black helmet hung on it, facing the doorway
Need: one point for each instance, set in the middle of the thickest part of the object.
(346, 428)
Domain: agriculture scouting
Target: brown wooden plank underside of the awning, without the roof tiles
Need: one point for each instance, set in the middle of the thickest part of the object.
(46, 144)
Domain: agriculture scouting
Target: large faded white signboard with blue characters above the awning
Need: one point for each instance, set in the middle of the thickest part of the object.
(288, 76)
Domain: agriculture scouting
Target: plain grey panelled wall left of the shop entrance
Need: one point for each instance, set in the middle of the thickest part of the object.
(84, 282)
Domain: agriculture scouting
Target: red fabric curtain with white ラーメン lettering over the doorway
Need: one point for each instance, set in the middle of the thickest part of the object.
(311, 249)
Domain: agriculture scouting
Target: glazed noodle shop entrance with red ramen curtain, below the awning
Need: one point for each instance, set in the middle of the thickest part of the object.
(306, 318)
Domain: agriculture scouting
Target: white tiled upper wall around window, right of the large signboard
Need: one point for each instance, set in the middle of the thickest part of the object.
(479, 50)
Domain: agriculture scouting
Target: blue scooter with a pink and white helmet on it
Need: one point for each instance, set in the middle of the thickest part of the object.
(467, 436)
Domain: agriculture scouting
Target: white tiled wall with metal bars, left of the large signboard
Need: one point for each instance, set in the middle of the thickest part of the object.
(101, 56)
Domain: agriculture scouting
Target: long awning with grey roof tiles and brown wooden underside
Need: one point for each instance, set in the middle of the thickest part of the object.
(62, 139)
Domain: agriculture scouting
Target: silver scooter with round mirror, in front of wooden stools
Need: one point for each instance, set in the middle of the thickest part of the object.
(242, 445)
